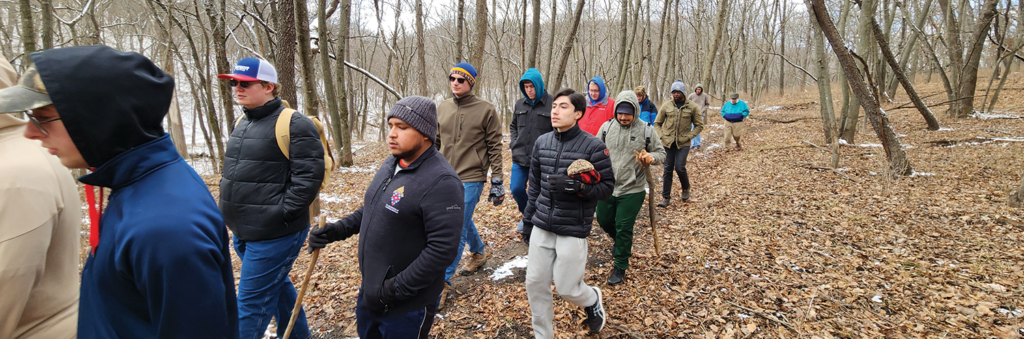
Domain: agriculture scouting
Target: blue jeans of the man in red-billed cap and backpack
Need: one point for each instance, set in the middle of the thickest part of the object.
(265, 290)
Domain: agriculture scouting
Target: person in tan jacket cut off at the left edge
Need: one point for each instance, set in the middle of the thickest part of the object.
(40, 219)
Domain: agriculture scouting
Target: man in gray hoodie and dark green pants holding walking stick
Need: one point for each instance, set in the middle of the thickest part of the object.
(625, 137)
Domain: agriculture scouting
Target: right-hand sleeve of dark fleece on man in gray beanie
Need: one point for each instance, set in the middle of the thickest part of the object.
(443, 227)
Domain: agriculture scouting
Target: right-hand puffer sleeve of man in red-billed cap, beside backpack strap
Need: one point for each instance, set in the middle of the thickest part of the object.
(307, 166)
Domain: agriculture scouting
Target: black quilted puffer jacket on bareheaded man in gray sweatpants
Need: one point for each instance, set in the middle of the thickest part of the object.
(561, 214)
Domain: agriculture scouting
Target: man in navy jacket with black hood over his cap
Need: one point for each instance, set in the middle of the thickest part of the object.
(159, 265)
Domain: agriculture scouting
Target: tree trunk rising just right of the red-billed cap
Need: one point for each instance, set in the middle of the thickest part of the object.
(286, 50)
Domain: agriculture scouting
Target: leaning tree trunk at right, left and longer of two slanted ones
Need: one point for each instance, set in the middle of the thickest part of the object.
(899, 162)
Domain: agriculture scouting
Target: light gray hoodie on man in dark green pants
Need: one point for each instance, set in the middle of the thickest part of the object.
(622, 141)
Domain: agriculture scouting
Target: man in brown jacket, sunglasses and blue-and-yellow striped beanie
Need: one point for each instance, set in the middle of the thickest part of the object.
(470, 136)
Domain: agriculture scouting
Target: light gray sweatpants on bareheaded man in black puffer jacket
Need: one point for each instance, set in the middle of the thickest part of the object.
(564, 260)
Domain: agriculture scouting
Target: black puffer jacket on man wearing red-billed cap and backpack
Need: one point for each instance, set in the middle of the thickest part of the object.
(265, 195)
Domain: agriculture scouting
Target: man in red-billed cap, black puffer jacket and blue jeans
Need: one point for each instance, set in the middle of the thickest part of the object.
(266, 196)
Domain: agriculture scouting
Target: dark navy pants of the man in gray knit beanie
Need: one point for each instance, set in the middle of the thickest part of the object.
(415, 324)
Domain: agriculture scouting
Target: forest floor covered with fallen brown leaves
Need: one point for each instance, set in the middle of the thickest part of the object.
(773, 244)
